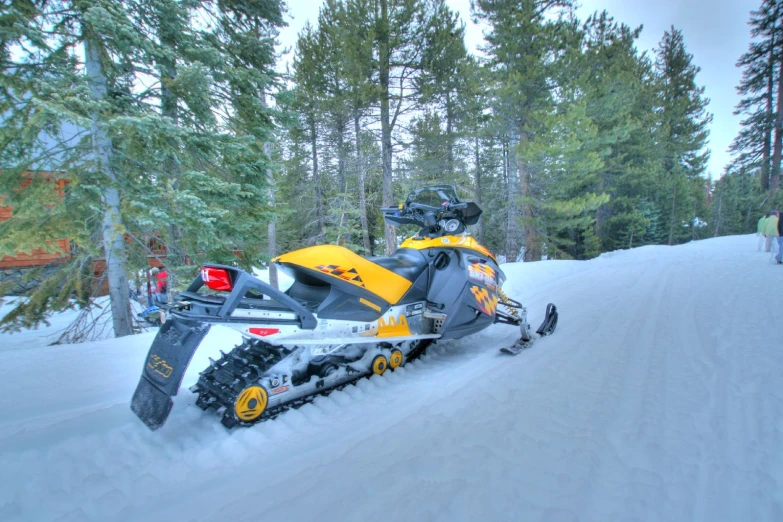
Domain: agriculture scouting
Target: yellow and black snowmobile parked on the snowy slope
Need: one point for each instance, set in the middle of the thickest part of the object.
(345, 317)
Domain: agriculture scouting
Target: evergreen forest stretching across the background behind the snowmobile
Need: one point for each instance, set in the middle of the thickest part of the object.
(184, 125)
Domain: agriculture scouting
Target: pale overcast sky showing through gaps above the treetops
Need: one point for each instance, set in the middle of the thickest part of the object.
(715, 32)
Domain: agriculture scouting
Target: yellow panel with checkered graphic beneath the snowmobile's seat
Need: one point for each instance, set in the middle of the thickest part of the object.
(329, 262)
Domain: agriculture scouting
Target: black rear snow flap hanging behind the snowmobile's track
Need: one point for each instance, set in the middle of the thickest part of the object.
(164, 368)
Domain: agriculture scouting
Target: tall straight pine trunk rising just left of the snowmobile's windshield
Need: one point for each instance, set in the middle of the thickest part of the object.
(386, 143)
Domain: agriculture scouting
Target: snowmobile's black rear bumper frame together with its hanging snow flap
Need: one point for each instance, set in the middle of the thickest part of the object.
(188, 323)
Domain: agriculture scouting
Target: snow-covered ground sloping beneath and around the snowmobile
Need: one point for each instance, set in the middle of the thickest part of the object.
(659, 398)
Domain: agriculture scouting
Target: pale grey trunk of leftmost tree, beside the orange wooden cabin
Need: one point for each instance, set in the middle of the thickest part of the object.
(112, 228)
